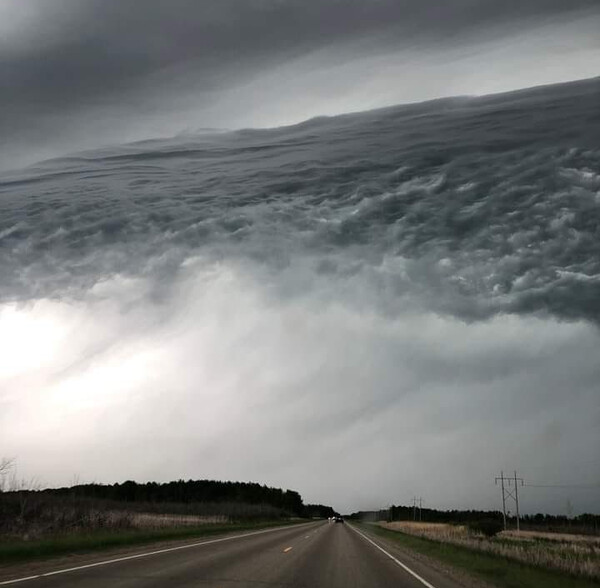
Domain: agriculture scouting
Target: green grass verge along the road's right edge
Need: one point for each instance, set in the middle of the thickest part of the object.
(495, 570)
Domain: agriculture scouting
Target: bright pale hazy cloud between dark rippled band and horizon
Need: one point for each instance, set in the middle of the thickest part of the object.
(353, 408)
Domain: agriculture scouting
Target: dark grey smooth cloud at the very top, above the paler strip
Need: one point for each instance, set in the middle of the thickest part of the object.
(77, 68)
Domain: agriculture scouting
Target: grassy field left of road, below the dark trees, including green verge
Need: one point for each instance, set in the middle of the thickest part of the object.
(36, 525)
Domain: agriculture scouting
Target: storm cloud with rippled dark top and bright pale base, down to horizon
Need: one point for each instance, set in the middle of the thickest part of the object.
(361, 307)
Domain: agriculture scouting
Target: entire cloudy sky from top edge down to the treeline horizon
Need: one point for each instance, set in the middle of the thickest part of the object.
(231, 318)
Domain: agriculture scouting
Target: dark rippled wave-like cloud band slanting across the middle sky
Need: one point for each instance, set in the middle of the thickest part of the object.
(482, 205)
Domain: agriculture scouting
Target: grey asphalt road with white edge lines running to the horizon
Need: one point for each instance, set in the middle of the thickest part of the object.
(314, 555)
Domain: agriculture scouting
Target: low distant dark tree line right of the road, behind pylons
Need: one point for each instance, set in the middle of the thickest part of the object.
(584, 522)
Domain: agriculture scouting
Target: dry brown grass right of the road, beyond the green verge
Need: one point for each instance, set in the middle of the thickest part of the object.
(578, 555)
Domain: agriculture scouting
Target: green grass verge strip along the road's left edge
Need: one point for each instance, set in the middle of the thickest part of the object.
(24, 551)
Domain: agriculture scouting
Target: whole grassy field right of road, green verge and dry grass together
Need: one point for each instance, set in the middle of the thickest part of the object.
(502, 561)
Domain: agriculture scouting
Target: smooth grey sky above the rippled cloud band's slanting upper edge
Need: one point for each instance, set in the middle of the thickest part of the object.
(78, 74)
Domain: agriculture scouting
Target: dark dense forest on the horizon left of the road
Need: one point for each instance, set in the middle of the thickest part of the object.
(196, 491)
